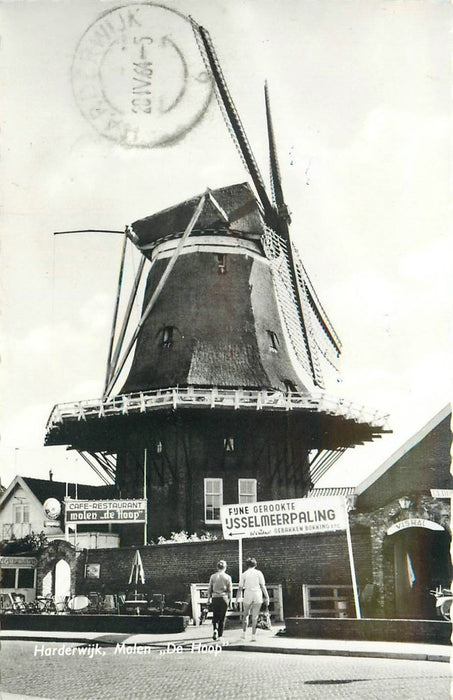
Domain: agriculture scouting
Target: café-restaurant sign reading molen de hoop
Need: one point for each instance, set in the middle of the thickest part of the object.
(110, 511)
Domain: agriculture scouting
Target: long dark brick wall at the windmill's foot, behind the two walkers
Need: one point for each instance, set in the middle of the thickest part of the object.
(291, 561)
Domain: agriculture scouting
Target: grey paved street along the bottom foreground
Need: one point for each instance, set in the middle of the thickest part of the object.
(67, 670)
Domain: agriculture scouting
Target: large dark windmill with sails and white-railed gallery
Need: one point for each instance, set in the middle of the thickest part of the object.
(223, 400)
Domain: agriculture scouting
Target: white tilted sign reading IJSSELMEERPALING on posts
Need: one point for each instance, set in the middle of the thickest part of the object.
(297, 516)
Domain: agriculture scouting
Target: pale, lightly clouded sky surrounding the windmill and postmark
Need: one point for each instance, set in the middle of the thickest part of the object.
(361, 96)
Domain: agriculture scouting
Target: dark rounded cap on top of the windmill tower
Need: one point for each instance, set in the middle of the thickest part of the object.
(237, 202)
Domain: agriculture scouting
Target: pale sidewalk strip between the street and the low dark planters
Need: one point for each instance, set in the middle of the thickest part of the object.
(268, 641)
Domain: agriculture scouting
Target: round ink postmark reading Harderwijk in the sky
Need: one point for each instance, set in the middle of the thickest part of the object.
(138, 76)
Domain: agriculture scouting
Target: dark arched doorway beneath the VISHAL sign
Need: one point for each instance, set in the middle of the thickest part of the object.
(420, 560)
